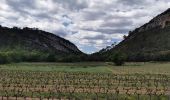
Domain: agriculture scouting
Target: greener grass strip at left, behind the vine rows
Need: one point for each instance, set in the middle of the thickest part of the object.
(57, 67)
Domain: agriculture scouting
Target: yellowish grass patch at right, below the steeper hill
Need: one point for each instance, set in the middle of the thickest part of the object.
(143, 68)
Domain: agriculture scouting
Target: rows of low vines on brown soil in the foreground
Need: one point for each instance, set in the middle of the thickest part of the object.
(54, 85)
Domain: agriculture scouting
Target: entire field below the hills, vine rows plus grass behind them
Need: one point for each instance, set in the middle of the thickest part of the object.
(85, 81)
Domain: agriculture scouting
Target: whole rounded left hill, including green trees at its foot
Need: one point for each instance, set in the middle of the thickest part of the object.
(31, 44)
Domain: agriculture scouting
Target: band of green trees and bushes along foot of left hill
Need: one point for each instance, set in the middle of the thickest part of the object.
(19, 54)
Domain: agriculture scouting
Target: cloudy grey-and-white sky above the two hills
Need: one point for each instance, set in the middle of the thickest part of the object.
(90, 24)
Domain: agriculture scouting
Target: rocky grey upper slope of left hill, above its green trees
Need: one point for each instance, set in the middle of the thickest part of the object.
(35, 39)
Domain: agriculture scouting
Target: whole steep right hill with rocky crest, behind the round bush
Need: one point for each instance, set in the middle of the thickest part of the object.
(148, 42)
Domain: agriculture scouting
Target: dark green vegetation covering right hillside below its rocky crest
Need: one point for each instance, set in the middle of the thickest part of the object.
(150, 45)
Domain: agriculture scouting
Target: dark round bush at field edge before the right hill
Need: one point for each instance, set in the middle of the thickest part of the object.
(119, 58)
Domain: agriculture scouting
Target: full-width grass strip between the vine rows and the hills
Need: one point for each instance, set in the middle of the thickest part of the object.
(97, 67)
